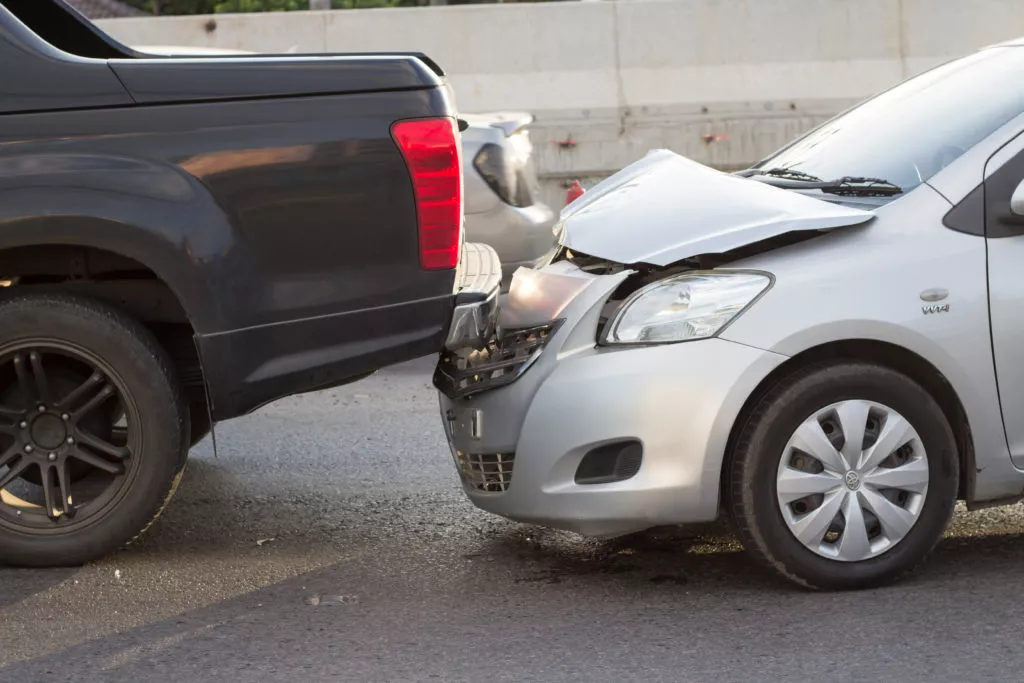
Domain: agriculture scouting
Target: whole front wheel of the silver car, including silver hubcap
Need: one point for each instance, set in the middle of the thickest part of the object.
(845, 477)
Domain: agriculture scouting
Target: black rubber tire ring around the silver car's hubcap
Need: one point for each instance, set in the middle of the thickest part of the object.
(752, 475)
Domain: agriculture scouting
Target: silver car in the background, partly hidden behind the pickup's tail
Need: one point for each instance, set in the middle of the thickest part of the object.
(503, 207)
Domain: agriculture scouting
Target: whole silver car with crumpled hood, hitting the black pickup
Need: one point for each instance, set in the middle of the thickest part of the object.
(826, 348)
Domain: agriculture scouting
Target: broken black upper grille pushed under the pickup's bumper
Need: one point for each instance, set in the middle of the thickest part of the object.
(501, 363)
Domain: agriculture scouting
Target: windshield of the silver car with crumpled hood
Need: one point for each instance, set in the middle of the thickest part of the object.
(911, 133)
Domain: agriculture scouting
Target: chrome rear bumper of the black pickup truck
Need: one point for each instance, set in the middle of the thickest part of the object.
(476, 315)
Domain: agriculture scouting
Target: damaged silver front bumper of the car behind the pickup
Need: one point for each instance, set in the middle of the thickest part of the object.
(547, 428)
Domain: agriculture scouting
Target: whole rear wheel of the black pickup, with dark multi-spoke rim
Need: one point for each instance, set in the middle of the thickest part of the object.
(93, 431)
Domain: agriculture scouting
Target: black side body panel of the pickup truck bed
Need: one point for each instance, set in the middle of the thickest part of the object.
(286, 227)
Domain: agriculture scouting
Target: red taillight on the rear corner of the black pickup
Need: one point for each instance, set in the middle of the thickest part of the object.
(431, 148)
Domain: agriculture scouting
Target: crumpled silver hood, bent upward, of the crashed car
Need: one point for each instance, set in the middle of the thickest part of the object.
(666, 208)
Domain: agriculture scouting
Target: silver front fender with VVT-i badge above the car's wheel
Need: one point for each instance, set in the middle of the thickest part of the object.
(872, 283)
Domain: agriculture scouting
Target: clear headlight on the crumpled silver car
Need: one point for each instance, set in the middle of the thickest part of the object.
(693, 306)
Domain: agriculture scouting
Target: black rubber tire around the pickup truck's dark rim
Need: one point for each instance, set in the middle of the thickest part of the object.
(141, 374)
